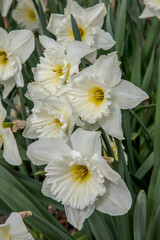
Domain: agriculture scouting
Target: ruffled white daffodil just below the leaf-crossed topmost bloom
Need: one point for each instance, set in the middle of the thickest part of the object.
(58, 65)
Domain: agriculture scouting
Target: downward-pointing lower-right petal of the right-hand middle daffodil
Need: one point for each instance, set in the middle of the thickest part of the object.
(112, 123)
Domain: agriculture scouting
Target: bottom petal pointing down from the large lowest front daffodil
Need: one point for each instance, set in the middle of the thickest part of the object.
(77, 217)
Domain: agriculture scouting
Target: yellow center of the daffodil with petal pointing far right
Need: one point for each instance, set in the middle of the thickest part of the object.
(96, 95)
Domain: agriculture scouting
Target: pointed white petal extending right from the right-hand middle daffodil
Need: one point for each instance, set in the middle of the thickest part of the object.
(127, 95)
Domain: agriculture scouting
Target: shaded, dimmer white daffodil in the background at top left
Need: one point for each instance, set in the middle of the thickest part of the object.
(26, 16)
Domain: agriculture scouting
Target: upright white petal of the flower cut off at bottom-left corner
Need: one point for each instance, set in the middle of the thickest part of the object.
(16, 227)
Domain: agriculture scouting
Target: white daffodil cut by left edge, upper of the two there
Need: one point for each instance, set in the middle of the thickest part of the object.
(15, 49)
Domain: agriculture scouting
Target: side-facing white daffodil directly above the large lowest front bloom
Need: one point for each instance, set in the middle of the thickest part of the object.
(51, 118)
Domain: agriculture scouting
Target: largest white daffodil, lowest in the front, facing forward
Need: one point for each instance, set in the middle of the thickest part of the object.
(79, 177)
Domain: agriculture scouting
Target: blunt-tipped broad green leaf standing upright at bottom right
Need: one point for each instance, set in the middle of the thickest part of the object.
(140, 216)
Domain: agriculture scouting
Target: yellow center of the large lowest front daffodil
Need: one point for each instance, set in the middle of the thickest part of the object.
(80, 173)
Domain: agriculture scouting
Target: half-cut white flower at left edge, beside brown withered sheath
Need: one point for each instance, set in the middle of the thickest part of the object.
(10, 149)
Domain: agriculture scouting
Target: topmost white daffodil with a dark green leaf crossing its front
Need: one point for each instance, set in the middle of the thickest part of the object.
(89, 21)
